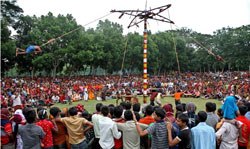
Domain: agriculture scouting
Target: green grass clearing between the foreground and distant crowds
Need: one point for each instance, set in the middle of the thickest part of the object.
(90, 105)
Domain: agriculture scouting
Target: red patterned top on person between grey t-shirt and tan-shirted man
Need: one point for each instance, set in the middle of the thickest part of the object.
(47, 127)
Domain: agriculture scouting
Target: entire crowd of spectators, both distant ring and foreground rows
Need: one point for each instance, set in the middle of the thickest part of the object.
(27, 124)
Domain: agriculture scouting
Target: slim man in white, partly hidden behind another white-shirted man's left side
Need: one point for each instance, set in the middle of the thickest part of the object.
(95, 120)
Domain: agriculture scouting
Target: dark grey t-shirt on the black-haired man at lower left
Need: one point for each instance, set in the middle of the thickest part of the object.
(31, 135)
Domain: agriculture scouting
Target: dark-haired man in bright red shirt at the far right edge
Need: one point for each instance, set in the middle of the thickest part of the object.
(245, 127)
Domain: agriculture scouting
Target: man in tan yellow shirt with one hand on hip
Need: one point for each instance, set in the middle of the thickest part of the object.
(74, 126)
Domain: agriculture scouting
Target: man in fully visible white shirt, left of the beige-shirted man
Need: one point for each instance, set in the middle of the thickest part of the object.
(108, 130)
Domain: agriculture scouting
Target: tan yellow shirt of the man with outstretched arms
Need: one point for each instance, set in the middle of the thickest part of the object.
(74, 126)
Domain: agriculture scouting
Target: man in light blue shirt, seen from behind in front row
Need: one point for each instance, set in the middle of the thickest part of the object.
(203, 136)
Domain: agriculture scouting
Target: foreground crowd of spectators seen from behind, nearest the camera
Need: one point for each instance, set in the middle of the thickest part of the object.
(128, 126)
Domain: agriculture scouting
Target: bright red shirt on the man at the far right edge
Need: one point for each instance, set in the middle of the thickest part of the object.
(245, 129)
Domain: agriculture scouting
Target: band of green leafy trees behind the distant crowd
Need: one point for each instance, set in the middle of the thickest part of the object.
(103, 47)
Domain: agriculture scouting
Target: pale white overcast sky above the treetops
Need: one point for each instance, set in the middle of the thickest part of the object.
(204, 16)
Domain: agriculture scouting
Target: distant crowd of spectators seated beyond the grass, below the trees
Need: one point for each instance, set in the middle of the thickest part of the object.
(44, 90)
